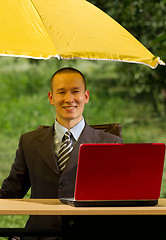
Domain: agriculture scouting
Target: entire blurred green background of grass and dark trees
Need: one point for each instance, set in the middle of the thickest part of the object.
(130, 94)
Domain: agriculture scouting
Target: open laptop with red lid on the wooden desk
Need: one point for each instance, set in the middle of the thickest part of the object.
(118, 175)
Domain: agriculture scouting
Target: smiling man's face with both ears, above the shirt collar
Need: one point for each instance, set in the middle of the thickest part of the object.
(69, 97)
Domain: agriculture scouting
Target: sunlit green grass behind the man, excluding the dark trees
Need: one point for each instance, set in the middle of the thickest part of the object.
(24, 106)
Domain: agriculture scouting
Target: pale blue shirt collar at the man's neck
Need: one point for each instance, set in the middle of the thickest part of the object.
(76, 130)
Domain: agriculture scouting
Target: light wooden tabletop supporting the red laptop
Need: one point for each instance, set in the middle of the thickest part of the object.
(55, 207)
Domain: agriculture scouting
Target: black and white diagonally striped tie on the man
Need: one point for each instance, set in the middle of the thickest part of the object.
(65, 150)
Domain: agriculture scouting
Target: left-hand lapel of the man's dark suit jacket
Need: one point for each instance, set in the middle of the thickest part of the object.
(46, 149)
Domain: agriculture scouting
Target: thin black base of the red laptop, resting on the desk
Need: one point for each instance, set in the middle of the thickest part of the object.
(126, 203)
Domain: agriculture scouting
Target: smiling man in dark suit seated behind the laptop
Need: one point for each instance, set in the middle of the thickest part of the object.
(38, 163)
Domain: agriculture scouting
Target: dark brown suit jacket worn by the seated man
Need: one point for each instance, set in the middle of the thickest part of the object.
(35, 166)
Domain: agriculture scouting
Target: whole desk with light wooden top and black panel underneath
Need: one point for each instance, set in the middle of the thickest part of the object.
(118, 222)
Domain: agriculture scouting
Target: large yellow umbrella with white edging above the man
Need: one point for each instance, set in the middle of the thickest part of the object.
(66, 29)
